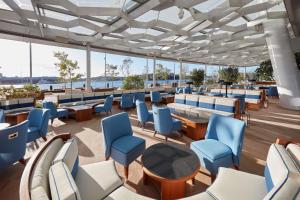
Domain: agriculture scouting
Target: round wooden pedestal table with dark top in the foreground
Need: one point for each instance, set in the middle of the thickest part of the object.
(172, 165)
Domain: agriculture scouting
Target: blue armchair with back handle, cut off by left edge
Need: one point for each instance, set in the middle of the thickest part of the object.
(13, 144)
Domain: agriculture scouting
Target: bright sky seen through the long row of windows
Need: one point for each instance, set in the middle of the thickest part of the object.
(14, 61)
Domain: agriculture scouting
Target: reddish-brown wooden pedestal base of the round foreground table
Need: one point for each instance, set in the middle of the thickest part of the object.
(172, 190)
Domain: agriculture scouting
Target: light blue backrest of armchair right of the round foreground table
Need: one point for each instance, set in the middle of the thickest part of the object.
(229, 131)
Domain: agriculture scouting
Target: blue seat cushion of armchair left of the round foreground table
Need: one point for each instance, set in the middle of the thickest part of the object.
(126, 144)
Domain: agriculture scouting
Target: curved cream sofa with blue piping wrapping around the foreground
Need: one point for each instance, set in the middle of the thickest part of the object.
(44, 179)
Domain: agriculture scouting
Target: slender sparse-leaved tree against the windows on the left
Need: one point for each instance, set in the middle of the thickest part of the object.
(67, 68)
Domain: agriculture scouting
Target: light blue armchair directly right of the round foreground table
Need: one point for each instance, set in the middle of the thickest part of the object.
(222, 145)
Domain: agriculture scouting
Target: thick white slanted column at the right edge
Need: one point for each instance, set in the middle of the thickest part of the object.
(284, 64)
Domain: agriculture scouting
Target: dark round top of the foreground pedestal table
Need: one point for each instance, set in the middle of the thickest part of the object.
(170, 161)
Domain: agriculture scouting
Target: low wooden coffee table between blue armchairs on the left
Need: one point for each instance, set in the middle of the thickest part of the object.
(81, 112)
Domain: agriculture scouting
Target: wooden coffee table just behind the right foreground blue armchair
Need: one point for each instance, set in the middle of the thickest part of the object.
(194, 124)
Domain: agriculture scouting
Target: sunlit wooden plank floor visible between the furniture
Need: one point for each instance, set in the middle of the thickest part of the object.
(266, 125)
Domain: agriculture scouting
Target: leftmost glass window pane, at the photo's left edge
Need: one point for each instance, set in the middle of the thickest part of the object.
(14, 63)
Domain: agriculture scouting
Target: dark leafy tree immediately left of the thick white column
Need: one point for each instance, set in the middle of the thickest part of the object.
(265, 71)
